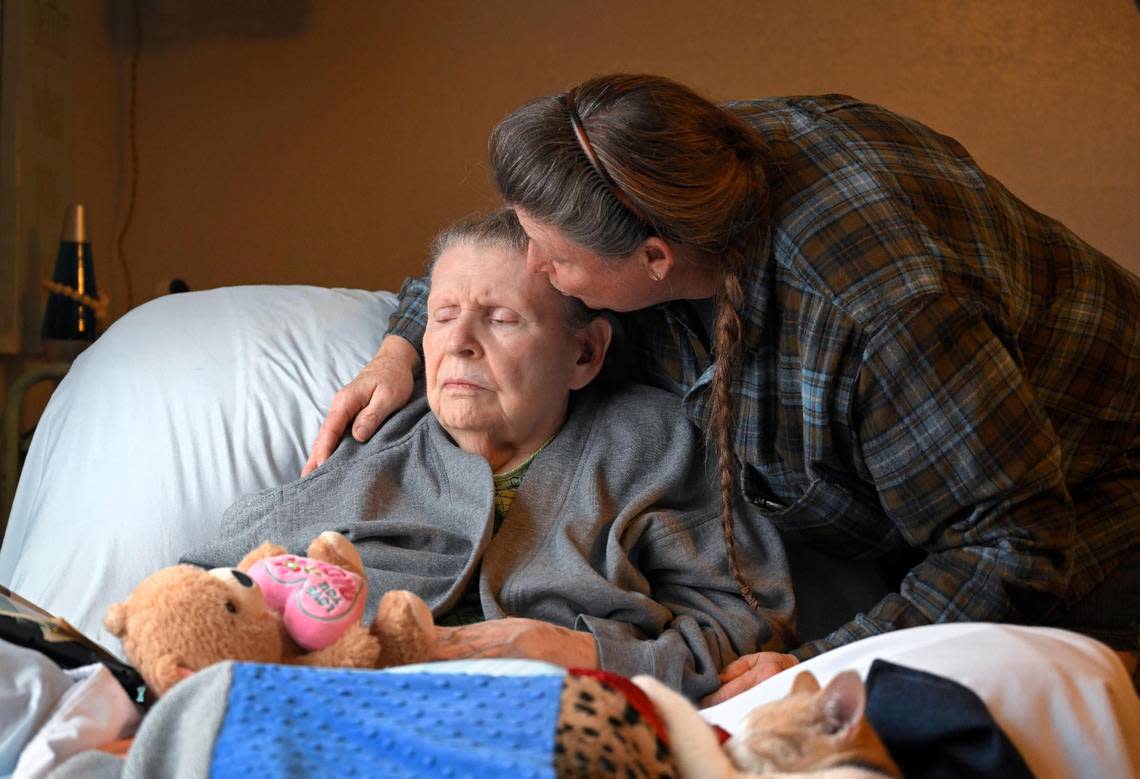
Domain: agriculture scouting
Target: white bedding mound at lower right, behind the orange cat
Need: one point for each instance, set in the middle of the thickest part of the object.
(1064, 700)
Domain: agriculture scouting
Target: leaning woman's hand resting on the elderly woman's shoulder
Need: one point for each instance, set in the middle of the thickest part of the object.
(382, 387)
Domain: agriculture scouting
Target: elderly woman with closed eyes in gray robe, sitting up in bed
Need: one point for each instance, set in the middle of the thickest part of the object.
(538, 517)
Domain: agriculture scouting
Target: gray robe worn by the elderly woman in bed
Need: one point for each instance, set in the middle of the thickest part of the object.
(615, 531)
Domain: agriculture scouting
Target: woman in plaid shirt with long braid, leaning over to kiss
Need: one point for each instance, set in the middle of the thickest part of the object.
(892, 356)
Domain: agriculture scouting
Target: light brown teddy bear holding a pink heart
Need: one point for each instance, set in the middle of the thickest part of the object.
(274, 607)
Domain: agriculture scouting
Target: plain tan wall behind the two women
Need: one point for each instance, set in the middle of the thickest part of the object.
(325, 144)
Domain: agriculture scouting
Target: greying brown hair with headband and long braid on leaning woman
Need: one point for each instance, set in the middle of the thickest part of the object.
(695, 174)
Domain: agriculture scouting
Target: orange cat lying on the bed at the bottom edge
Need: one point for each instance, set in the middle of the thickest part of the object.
(812, 733)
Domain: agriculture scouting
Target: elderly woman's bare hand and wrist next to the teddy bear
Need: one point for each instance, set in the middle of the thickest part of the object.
(517, 637)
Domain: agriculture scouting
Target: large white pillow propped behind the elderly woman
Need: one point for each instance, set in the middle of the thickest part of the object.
(182, 407)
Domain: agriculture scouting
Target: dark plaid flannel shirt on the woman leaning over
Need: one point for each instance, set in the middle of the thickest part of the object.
(929, 364)
